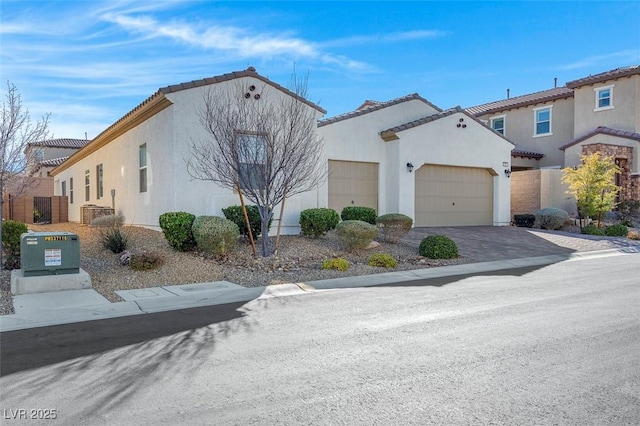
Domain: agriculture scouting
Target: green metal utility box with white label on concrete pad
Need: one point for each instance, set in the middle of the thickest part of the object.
(49, 253)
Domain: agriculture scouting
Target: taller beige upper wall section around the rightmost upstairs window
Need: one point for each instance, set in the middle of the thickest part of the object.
(625, 114)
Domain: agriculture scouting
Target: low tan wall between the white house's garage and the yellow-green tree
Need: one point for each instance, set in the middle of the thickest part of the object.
(532, 190)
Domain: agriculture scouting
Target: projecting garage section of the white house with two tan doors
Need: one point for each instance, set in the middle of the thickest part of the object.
(442, 168)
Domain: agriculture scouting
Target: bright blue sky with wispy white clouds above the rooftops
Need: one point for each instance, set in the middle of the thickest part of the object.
(89, 62)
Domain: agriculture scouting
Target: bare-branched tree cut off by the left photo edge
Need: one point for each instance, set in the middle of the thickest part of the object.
(17, 131)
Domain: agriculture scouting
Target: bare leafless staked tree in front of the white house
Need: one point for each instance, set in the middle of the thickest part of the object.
(262, 143)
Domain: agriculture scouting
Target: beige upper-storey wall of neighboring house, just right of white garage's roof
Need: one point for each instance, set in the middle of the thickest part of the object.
(520, 124)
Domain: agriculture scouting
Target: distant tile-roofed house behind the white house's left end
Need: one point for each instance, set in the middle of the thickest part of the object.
(44, 156)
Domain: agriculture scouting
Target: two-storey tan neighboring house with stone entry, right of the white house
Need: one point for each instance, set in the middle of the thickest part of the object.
(553, 128)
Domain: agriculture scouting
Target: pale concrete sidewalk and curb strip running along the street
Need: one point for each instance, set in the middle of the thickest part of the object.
(64, 307)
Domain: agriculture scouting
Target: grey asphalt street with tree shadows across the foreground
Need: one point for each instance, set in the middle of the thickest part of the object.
(558, 344)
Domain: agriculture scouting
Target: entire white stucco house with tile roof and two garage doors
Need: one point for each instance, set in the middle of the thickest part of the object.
(457, 171)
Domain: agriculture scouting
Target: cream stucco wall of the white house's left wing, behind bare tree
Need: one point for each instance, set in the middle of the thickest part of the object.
(168, 135)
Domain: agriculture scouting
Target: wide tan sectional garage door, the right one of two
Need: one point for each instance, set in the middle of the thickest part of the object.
(453, 196)
